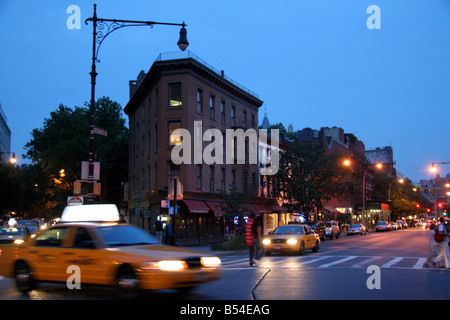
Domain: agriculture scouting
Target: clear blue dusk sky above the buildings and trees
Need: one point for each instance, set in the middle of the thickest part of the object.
(314, 63)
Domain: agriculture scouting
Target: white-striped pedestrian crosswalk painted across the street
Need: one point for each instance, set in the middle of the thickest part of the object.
(325, 261)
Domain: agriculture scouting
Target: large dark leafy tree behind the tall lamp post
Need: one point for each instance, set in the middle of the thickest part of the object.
(63, 142)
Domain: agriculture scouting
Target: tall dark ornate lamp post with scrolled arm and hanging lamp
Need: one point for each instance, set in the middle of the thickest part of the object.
(101, 29)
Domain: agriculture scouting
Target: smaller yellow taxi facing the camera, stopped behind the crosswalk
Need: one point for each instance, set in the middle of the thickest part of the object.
(294, 238)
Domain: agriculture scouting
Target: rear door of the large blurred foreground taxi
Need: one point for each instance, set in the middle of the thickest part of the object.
(45, 255)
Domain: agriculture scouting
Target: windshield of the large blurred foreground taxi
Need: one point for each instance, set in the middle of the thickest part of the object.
(126, 235)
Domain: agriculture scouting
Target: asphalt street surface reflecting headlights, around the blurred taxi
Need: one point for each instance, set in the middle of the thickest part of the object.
(340, 270)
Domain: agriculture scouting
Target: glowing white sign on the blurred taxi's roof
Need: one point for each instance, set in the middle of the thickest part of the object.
(91, 213)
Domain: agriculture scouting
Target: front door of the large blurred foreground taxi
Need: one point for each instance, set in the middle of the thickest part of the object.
(84, 254)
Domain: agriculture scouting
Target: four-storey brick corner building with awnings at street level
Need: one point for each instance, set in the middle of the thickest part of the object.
(176, 92)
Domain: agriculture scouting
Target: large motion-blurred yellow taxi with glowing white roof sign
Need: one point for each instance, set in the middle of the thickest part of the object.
(89, 242)
